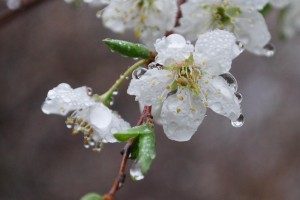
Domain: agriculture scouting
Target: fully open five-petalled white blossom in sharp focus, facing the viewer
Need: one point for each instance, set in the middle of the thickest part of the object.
(190, 80)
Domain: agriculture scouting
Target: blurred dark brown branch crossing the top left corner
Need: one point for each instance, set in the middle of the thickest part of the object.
(26, 5)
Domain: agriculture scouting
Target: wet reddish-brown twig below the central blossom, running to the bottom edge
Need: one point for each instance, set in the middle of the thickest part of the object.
(146, 117)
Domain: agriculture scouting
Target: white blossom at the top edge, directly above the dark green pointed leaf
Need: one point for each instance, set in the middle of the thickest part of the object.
(150, 19)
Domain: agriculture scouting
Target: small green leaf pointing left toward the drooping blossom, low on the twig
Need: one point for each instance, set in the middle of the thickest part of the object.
(133, 132)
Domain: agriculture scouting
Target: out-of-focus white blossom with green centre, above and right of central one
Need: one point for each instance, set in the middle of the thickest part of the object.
(237, 16)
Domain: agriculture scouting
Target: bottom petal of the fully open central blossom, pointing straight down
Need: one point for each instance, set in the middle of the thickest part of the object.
(179, 121)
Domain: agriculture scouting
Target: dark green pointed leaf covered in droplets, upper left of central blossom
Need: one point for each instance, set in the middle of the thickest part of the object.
(128, 49)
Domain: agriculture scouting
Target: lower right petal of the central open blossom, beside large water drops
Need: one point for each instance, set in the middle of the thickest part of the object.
(221, 98)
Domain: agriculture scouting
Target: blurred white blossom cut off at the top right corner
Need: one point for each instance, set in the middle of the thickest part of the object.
(291, 19)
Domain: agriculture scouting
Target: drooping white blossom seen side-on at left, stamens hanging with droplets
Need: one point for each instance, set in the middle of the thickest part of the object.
(90, 117)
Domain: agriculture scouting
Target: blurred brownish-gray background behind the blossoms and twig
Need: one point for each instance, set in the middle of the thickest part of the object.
(39, 159)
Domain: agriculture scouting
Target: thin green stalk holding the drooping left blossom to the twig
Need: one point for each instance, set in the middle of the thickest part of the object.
(106, 97)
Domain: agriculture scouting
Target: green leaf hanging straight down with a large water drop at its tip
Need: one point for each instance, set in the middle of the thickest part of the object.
(146, 152)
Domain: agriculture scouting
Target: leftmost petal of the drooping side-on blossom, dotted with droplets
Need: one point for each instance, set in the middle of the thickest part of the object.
(63, 99)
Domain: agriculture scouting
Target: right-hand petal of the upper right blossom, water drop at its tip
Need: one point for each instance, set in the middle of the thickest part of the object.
(252, 30)
